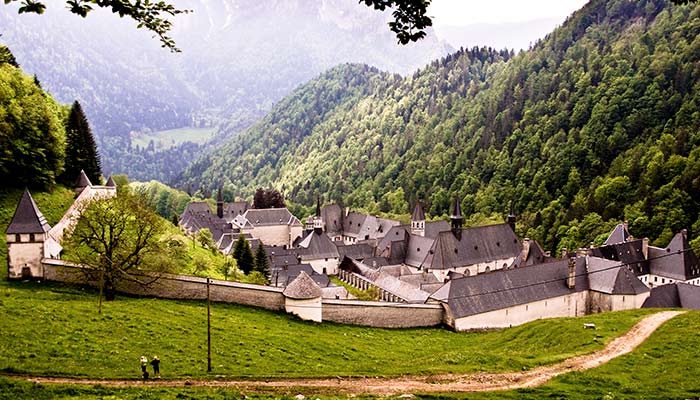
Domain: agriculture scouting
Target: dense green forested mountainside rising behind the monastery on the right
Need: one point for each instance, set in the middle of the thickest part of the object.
(597, 123)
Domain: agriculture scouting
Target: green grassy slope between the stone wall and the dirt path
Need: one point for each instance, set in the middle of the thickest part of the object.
(55, 331)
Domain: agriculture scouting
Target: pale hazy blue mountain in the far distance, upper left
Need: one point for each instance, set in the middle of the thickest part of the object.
(238, 58)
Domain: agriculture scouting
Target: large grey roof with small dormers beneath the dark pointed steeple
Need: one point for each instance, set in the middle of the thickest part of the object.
(476, 245)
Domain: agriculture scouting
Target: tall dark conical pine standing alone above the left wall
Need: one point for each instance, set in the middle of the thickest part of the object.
(81, 150)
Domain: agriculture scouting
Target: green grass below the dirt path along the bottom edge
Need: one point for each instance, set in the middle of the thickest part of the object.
(664, 367)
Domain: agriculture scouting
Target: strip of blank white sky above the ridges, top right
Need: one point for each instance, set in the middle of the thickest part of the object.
(468, 12)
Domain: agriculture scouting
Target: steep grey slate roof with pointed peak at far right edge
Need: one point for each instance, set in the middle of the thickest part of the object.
(676, 261)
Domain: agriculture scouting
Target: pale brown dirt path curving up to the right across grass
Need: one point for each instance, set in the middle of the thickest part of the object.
(418, 384)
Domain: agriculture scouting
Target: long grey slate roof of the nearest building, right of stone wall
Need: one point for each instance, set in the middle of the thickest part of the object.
(506, 288)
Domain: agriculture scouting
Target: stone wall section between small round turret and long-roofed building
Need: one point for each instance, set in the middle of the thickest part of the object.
(382, 315)
